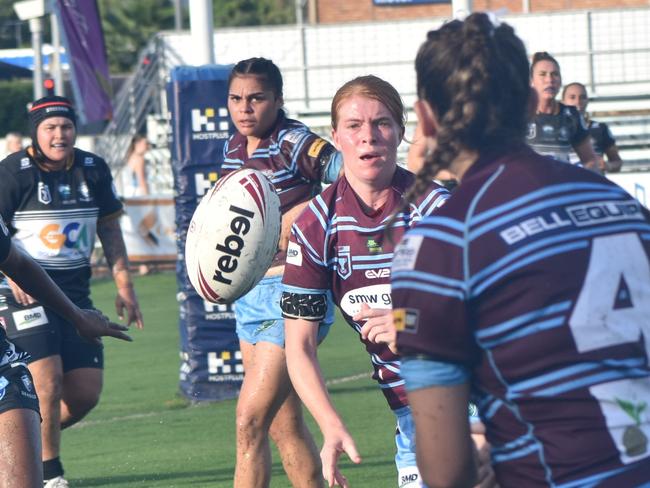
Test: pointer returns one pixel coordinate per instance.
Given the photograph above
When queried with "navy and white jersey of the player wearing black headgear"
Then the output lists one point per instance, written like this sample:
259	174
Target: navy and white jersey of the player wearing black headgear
53	214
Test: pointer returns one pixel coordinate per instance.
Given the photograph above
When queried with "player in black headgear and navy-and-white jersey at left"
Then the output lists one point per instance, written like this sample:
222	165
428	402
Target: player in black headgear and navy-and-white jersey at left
56	199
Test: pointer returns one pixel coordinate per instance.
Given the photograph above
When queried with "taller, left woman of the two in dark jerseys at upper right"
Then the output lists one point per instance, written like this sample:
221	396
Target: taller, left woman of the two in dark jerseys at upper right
556	128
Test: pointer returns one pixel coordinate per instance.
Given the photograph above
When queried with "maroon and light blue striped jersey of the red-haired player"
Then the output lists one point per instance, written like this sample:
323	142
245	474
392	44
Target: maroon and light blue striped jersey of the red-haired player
336	247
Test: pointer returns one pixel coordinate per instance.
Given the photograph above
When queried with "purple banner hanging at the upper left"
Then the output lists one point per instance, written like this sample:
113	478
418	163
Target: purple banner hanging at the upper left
84	41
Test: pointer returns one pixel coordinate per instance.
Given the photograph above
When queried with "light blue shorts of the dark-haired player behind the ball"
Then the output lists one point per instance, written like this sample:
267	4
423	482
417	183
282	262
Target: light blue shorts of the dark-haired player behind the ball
259	318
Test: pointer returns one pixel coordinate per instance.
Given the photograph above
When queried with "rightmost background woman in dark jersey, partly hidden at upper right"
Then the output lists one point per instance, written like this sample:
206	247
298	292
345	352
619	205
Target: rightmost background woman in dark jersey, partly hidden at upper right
602	140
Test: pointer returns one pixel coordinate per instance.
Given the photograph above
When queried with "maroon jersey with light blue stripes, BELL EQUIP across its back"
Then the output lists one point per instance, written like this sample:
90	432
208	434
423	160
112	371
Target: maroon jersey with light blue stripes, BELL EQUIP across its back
535	278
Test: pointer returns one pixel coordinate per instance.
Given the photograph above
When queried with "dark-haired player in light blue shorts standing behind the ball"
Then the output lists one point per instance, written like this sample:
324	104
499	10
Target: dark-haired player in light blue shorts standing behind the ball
296	161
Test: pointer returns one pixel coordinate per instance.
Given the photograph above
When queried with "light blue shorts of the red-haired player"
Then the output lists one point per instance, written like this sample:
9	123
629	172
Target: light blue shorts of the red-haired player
408	475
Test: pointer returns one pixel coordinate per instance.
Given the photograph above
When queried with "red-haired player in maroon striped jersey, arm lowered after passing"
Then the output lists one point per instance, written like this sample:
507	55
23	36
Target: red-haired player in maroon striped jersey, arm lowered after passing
339	247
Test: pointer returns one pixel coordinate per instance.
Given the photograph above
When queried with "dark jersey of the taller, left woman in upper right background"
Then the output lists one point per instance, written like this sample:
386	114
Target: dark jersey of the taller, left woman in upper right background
556	135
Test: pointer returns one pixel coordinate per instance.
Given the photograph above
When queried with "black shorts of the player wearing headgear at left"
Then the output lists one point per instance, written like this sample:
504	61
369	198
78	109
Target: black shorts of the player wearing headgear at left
42	333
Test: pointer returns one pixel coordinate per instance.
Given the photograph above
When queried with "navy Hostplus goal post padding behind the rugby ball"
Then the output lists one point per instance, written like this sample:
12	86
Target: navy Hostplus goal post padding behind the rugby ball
211	365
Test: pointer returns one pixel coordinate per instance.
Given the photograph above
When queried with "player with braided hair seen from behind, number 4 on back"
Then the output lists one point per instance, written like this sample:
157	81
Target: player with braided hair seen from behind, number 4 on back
528	290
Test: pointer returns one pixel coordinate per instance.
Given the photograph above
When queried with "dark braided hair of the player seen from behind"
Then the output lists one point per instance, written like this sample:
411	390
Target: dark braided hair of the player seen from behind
475	77
